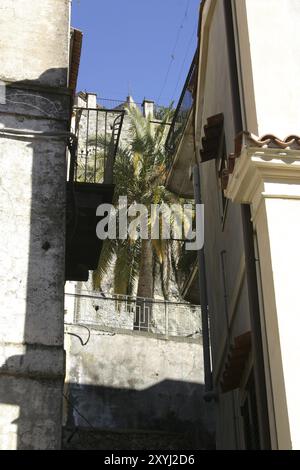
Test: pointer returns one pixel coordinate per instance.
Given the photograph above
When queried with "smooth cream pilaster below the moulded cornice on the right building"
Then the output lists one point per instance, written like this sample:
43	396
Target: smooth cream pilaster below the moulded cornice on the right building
283	219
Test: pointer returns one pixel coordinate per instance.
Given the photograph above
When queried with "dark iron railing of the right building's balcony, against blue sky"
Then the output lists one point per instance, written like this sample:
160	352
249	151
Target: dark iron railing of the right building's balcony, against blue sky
182	112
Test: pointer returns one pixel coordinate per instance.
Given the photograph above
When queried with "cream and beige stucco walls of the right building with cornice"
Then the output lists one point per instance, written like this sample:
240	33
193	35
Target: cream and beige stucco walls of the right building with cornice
264	34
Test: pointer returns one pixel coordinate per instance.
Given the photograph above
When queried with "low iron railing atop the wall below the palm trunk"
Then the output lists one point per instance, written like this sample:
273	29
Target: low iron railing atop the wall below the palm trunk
179	319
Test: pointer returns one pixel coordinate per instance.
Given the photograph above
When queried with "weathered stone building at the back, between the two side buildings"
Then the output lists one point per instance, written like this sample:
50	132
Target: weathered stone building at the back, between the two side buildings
130	386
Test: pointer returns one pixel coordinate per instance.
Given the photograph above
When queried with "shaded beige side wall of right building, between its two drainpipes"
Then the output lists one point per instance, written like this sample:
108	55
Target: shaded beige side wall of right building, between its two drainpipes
227	290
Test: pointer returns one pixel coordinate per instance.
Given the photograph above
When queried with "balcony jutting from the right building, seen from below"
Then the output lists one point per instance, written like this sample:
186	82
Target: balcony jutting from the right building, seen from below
180	141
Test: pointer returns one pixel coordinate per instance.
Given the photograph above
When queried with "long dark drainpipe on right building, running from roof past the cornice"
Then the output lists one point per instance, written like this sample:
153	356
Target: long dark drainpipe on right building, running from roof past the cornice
251	275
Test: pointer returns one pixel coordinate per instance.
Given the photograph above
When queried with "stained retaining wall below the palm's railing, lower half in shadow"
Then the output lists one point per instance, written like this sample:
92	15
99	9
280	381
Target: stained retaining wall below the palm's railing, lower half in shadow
137	382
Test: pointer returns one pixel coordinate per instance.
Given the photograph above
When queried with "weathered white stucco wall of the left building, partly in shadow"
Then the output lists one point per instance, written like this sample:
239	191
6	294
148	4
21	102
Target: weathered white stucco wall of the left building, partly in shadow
34	43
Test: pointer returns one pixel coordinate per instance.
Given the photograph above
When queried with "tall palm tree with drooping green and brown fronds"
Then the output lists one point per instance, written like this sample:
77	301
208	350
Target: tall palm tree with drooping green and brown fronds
139	173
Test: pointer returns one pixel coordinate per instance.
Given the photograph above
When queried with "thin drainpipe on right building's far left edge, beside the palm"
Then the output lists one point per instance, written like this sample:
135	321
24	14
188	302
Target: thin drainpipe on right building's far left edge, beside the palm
209	392
